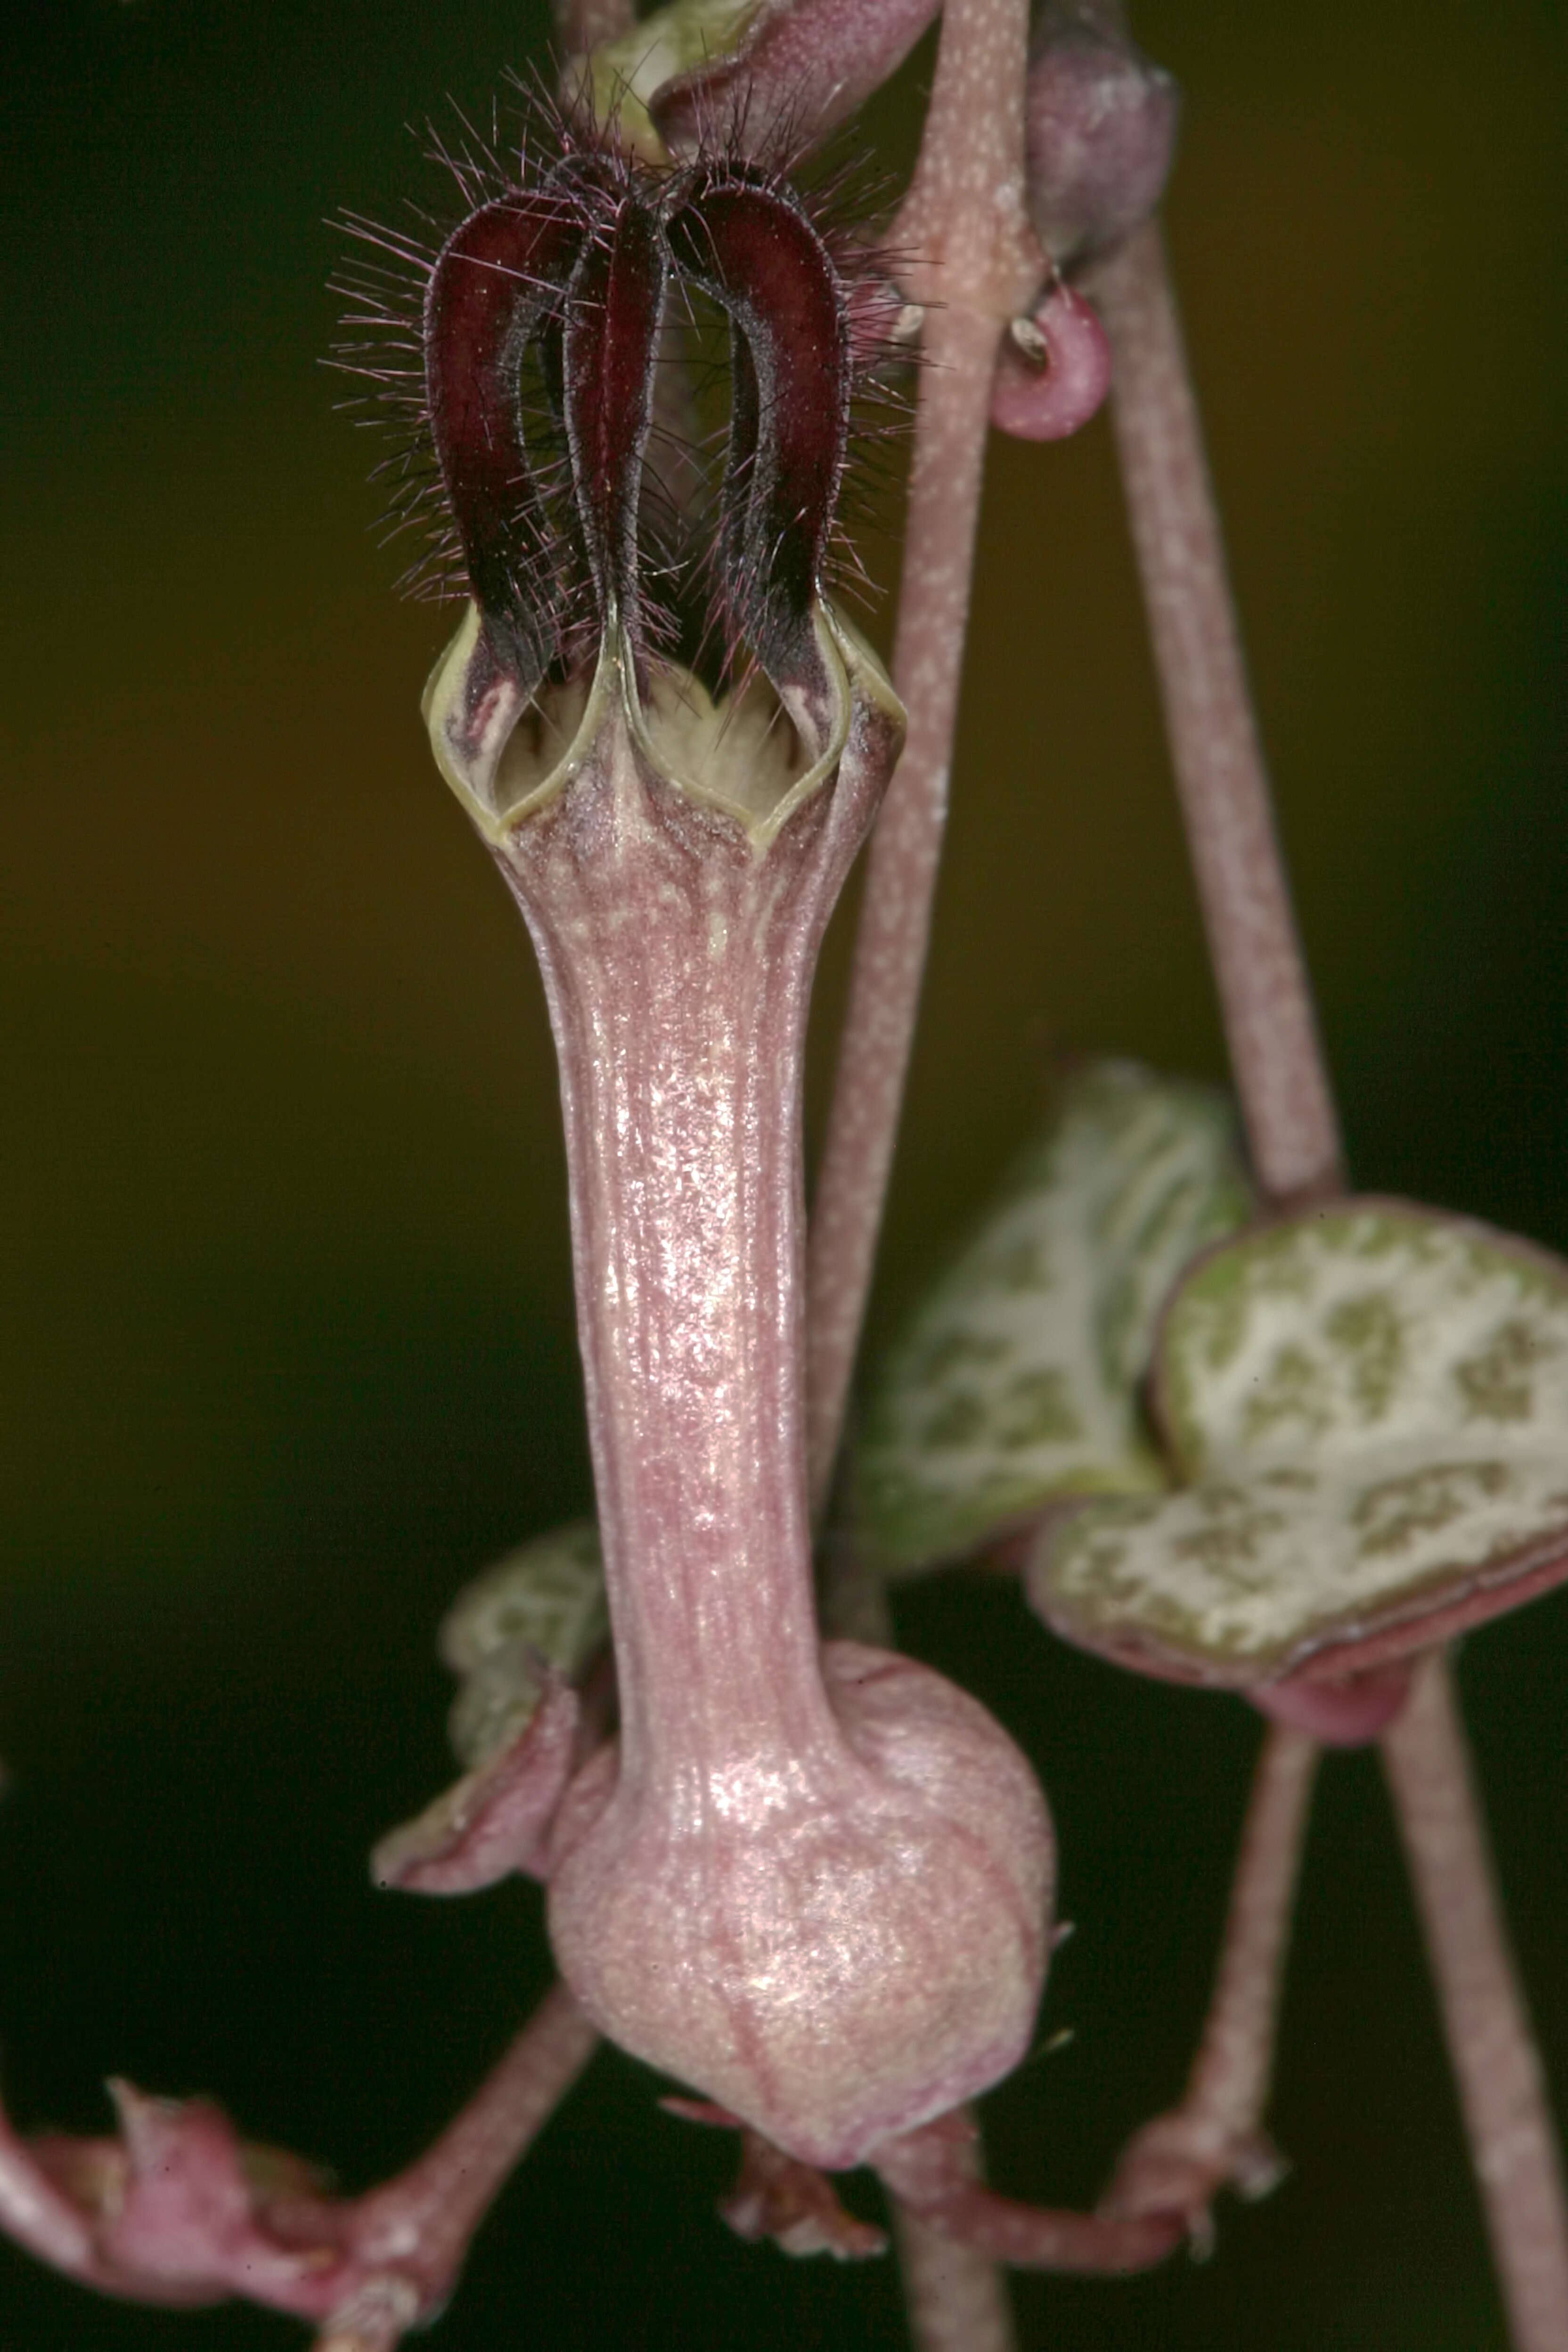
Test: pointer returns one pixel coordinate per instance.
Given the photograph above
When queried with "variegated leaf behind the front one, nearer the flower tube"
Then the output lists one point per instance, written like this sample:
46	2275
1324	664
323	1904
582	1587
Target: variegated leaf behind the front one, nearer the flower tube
1017	1382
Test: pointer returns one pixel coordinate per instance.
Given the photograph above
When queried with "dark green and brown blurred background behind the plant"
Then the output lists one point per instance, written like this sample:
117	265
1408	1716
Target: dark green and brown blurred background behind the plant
286	1339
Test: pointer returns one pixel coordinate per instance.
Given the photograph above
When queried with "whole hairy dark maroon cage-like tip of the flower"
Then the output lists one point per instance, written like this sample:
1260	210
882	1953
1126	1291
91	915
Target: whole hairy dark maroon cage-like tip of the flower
579	335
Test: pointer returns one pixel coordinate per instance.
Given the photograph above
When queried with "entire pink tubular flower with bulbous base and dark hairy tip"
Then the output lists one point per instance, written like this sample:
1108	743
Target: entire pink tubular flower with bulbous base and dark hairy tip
810	1883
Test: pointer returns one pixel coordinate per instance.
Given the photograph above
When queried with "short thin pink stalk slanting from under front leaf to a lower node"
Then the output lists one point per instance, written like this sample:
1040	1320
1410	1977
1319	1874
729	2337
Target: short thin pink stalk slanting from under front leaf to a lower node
1217	2137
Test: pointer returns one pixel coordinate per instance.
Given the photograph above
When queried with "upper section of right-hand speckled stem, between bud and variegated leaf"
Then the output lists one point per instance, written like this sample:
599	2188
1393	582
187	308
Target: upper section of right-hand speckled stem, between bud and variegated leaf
1214	737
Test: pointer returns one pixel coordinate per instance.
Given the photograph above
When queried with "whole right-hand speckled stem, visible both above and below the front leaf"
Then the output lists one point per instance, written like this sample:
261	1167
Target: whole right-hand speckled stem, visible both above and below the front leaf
1296	1151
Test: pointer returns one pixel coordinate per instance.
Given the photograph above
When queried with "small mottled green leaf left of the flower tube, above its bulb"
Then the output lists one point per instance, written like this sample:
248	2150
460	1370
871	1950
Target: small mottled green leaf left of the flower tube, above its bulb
544	1601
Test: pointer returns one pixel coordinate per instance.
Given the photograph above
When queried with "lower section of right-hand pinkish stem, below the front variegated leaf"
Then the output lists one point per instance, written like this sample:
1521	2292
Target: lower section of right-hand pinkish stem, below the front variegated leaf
1485	2017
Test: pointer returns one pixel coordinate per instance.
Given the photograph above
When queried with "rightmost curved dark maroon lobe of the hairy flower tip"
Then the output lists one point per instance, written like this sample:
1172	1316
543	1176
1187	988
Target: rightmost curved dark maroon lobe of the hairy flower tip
753	250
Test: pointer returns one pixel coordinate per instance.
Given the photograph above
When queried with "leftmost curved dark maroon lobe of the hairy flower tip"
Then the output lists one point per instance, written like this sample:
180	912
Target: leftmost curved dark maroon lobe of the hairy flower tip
492	286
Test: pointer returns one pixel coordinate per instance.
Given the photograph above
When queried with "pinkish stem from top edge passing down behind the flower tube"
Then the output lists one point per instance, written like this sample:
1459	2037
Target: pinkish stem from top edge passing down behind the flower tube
979	267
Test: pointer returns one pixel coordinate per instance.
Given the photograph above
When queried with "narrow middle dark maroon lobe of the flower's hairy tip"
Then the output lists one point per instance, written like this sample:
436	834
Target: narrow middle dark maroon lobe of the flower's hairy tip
615	316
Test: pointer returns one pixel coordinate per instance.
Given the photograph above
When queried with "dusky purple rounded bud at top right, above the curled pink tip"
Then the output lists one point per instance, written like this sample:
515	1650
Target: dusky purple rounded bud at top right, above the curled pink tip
1101	131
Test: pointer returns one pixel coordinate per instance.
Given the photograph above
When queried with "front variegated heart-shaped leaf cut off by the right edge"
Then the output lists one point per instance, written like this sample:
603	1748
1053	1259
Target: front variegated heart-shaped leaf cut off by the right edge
1369	1415
